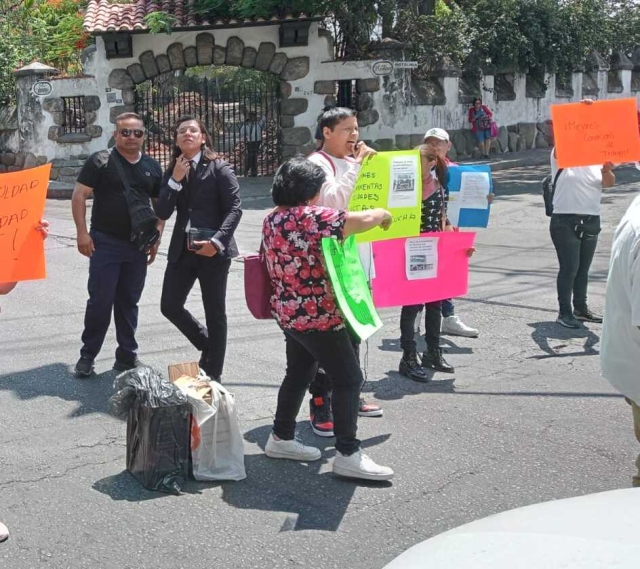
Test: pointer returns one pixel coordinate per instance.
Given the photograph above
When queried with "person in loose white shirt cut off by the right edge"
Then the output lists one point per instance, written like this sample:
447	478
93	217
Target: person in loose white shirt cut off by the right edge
620	344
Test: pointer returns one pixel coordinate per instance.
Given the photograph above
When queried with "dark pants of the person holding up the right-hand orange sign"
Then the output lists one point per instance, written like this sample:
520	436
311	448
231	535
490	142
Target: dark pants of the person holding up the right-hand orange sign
575	238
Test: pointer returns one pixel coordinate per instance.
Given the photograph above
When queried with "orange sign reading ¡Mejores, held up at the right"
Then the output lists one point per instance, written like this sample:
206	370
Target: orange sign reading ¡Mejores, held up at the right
605	131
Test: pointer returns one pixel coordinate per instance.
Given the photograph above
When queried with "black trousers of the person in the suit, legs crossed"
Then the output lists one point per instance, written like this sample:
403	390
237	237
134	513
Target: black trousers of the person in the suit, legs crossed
179	279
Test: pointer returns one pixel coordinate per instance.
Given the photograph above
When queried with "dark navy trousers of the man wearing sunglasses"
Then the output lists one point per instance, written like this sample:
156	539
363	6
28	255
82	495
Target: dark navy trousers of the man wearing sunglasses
117	272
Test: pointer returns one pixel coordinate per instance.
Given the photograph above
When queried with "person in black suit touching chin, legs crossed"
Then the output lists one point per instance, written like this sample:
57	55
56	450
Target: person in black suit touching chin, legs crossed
205	192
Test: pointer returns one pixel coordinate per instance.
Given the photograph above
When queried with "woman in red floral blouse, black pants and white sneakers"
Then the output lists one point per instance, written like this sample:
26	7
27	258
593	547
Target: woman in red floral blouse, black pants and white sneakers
305	307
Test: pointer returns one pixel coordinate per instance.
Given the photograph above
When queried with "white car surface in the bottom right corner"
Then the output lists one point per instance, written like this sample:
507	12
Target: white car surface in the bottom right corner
596	531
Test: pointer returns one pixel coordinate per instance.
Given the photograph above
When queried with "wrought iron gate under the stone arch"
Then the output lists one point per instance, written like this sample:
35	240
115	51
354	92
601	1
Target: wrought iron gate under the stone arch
243	120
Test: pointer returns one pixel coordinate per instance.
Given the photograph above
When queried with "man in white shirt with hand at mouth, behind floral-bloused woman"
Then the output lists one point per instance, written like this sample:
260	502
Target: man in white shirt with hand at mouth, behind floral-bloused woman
340	157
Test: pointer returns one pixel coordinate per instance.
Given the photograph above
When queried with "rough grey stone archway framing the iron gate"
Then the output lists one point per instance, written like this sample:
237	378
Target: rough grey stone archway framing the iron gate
206	52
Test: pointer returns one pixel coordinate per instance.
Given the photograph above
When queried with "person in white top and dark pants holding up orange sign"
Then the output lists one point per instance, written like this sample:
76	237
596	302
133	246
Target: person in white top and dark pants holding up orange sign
574	228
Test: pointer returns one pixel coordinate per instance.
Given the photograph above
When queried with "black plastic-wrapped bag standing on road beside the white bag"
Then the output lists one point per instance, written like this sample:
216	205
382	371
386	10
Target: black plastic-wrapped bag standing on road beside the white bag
158	428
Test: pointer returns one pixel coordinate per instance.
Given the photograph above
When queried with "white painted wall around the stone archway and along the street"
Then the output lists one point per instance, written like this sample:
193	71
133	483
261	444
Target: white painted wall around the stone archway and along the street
405	119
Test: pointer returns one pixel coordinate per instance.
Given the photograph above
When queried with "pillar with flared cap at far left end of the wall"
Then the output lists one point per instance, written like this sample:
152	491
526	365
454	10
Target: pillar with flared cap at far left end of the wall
31	117
